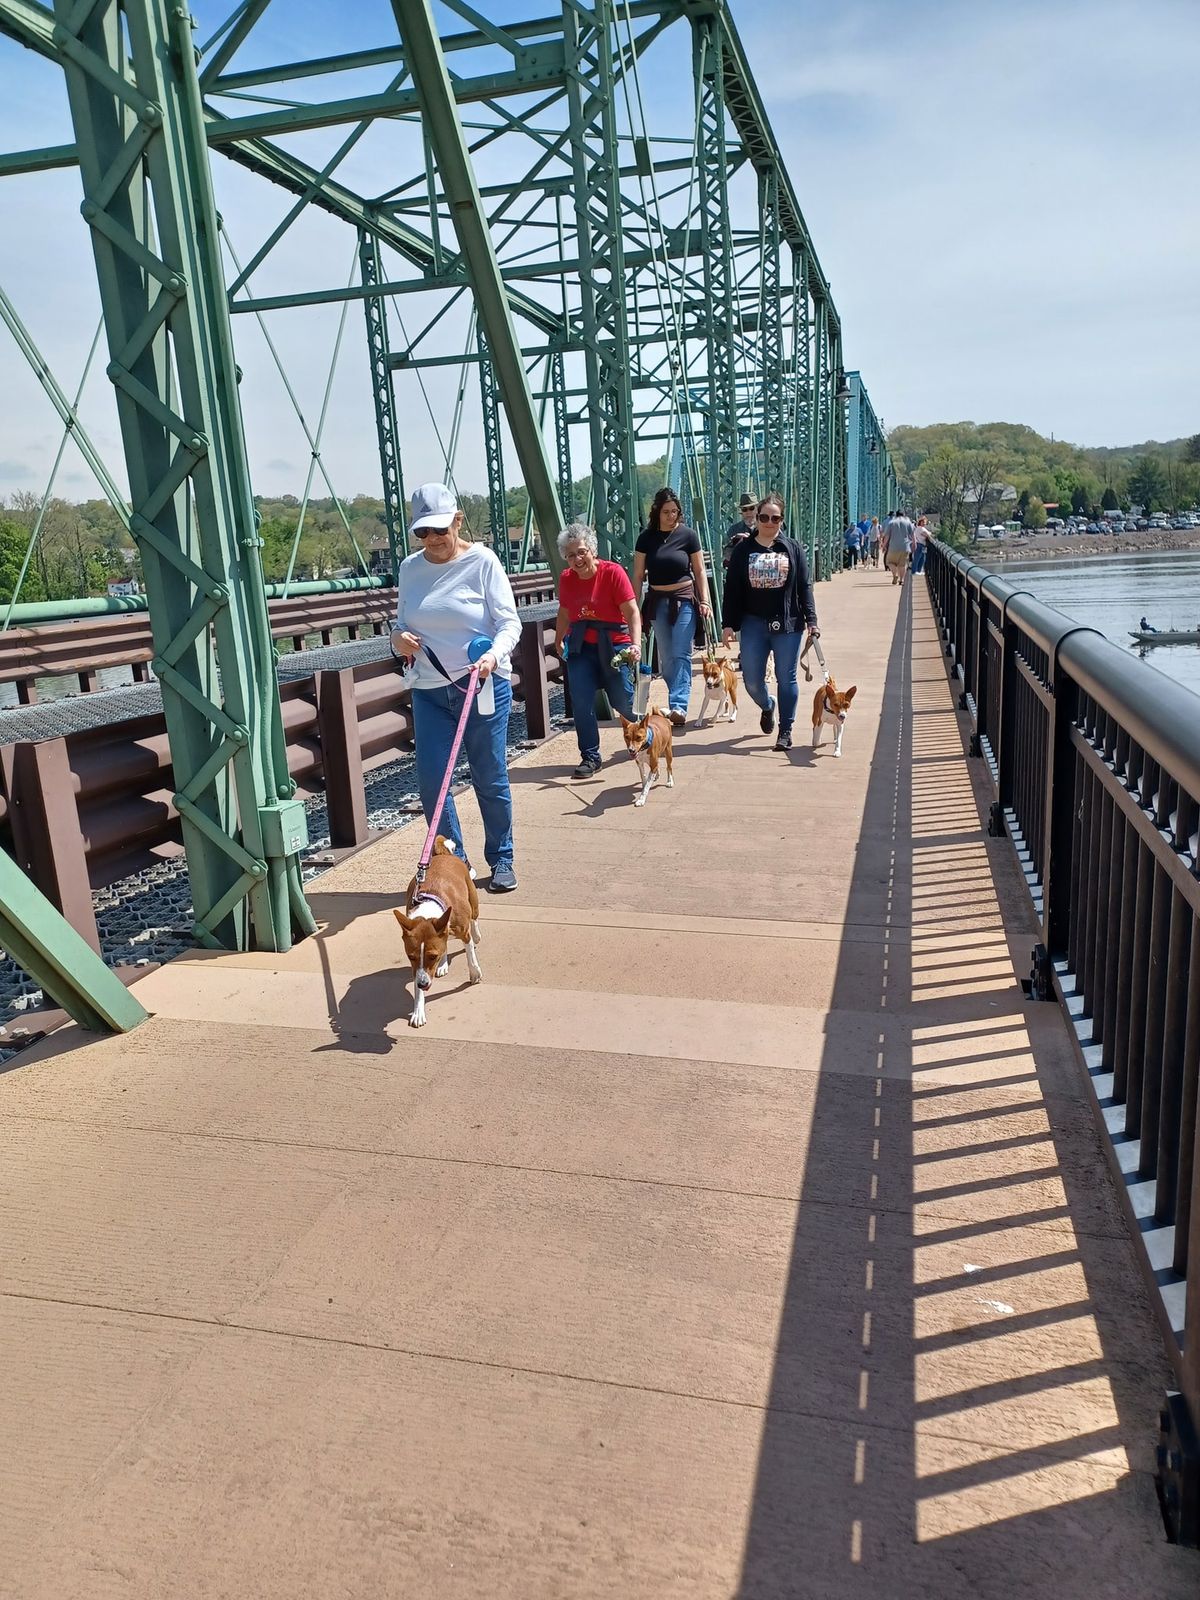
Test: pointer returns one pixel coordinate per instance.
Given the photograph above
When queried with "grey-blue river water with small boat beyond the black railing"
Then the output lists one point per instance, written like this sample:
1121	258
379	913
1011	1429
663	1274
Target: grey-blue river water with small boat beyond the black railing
1114	593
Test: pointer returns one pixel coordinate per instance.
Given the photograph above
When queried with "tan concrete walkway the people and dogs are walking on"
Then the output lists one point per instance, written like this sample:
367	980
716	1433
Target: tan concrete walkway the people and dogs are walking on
745	1234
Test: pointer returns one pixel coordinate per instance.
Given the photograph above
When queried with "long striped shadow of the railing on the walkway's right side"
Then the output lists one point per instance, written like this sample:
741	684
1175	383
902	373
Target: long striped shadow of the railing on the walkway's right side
998	1404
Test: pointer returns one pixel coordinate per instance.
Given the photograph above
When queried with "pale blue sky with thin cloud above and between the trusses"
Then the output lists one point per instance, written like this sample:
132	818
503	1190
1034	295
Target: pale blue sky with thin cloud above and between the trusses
1001	193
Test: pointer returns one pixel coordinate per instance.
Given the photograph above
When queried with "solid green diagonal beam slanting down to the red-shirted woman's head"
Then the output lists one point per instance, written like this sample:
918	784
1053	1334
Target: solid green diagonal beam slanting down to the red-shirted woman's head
446	135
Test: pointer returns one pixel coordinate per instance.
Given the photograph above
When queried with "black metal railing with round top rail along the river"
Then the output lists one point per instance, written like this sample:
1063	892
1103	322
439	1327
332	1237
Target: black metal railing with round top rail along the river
1097	769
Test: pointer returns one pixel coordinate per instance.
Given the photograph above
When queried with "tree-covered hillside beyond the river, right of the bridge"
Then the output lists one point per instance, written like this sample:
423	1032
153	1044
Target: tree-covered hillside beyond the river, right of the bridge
969	474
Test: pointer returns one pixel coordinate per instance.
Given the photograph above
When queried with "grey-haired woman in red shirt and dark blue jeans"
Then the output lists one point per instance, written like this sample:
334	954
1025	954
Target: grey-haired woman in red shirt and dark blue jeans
598	622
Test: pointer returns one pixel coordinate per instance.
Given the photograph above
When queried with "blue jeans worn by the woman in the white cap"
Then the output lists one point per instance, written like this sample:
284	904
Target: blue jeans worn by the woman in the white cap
436	714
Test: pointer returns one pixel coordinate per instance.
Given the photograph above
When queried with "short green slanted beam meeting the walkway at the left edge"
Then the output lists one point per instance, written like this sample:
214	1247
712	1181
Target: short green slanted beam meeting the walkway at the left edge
39	938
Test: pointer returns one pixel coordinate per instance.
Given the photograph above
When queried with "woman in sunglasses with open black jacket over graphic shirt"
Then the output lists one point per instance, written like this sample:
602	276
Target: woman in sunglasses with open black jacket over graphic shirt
769	598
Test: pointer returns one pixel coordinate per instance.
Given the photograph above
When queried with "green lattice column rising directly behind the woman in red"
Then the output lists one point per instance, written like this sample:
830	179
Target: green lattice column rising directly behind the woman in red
590	38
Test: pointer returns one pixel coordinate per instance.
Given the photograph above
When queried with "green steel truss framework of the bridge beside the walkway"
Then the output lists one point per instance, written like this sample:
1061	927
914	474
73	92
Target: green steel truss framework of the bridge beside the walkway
622	273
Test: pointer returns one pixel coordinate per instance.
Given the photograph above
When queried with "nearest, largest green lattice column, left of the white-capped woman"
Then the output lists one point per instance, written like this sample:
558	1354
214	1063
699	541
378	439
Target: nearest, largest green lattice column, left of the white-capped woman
143	156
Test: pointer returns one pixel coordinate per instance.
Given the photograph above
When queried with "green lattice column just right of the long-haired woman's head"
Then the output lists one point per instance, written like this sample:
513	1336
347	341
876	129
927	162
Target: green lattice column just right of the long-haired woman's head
713	170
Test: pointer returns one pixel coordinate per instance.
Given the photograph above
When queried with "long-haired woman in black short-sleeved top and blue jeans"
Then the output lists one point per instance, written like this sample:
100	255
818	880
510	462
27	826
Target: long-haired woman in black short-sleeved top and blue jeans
668	553
